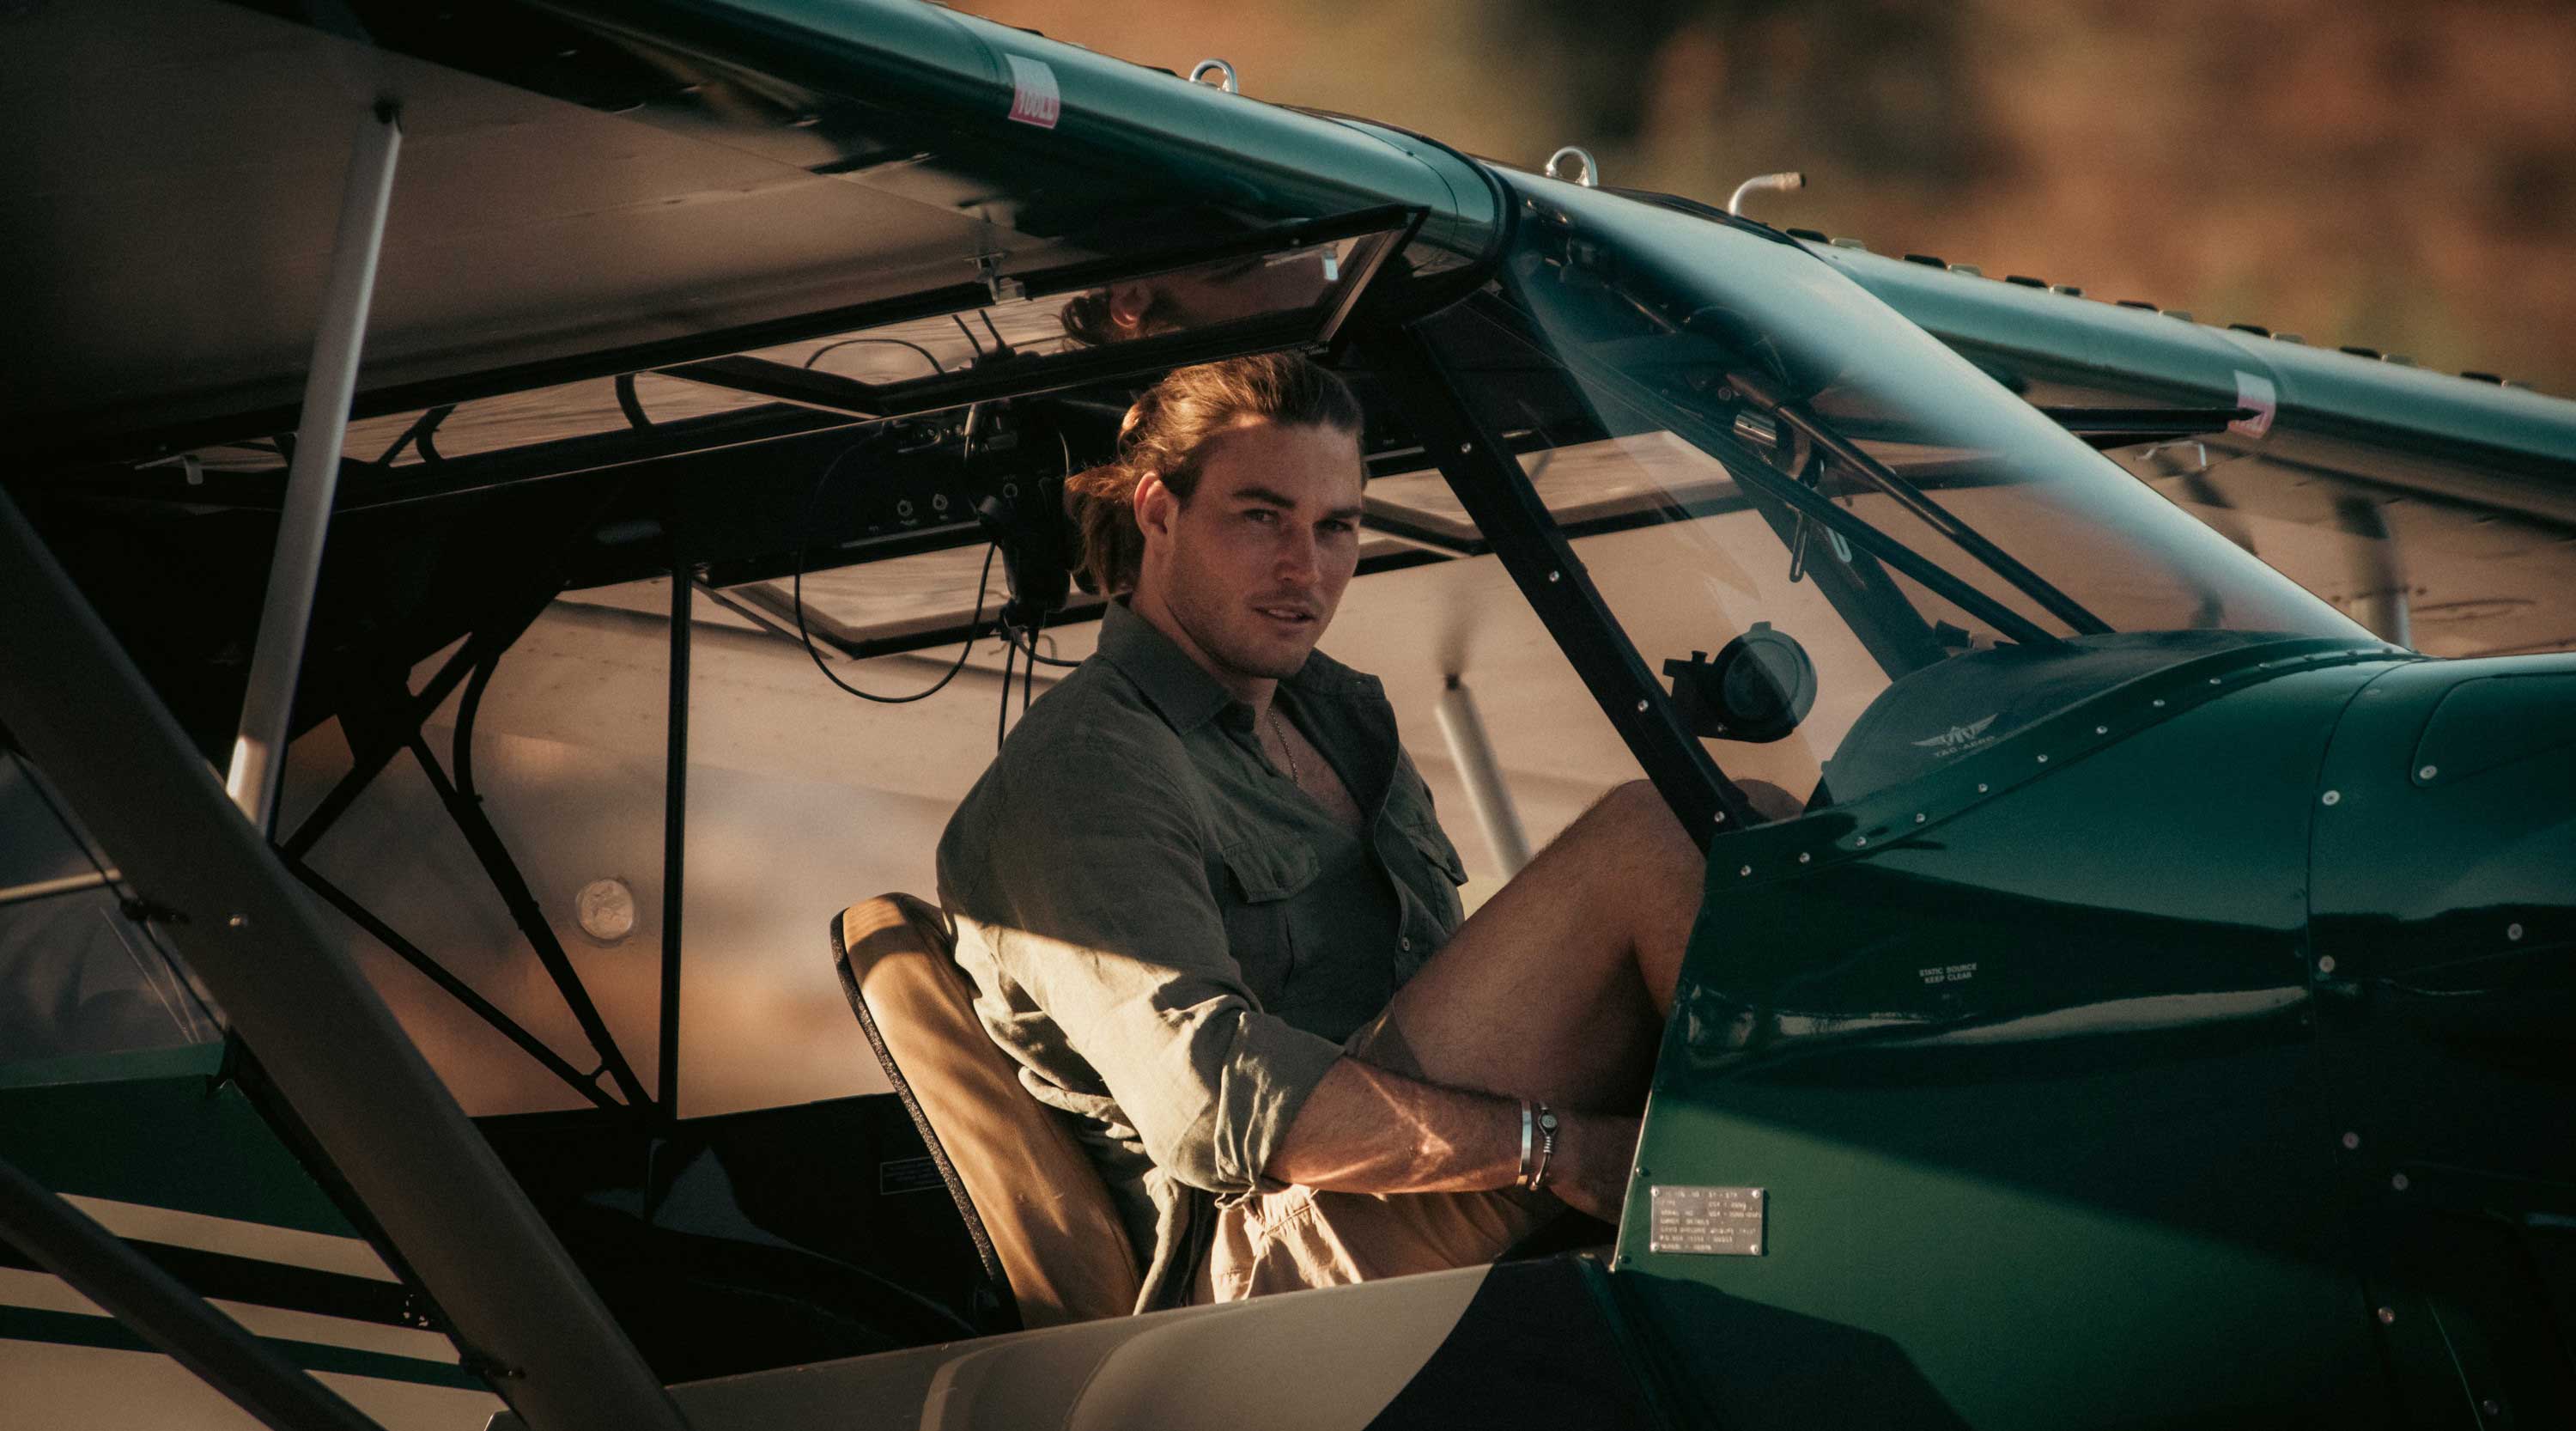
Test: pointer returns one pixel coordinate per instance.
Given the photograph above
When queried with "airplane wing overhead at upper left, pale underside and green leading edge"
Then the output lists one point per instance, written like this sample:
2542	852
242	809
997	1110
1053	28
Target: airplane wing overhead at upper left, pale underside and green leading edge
586	190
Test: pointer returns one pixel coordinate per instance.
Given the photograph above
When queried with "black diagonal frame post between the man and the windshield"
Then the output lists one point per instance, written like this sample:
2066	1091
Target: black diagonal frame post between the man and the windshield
1516	525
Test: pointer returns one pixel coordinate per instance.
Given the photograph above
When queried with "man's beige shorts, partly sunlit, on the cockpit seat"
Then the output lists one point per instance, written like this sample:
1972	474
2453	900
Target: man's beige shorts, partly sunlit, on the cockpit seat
1323	1239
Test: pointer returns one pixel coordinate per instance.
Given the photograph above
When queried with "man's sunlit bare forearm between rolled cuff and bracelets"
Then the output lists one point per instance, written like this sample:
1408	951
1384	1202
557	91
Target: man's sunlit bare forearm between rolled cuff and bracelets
1382	1133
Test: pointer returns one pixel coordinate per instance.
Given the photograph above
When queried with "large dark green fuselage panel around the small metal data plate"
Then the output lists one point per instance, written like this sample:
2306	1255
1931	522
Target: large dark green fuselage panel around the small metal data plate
2023	1058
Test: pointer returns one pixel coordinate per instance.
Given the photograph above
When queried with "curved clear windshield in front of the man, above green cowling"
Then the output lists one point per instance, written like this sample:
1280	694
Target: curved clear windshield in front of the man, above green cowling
1848	550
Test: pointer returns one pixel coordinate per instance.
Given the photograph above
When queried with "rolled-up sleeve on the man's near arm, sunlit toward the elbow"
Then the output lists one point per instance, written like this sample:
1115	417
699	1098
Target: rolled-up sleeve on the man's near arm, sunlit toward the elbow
1096	904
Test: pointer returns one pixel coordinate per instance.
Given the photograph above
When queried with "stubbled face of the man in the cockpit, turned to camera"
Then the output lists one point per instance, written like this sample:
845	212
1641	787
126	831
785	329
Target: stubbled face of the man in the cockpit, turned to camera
1253	566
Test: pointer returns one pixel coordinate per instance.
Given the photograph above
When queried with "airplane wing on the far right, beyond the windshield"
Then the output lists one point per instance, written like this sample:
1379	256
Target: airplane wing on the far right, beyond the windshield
2441	512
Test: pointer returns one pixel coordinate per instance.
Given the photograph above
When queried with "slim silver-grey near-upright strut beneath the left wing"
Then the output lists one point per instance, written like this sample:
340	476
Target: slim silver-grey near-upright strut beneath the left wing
316	476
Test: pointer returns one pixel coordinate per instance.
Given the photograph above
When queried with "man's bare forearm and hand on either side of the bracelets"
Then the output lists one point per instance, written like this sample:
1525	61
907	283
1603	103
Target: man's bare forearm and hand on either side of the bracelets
1382	1133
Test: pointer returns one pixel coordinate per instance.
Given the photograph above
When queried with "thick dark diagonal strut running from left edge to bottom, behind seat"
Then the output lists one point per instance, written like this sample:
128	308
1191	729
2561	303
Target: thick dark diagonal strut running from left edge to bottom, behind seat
375	1107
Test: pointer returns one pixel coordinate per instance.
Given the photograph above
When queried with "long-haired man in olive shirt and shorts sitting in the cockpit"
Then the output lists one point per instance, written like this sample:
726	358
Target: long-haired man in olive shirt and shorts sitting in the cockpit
1209	909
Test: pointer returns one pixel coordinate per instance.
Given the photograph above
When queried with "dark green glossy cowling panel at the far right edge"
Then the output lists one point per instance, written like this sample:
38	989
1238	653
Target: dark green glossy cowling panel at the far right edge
2446	899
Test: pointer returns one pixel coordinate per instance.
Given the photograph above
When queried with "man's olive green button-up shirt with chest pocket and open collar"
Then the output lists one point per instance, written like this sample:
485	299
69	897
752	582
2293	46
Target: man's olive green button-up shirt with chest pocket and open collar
1171	937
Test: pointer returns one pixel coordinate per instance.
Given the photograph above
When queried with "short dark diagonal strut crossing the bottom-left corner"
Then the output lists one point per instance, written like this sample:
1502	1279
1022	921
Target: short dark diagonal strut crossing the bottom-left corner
166	1314
